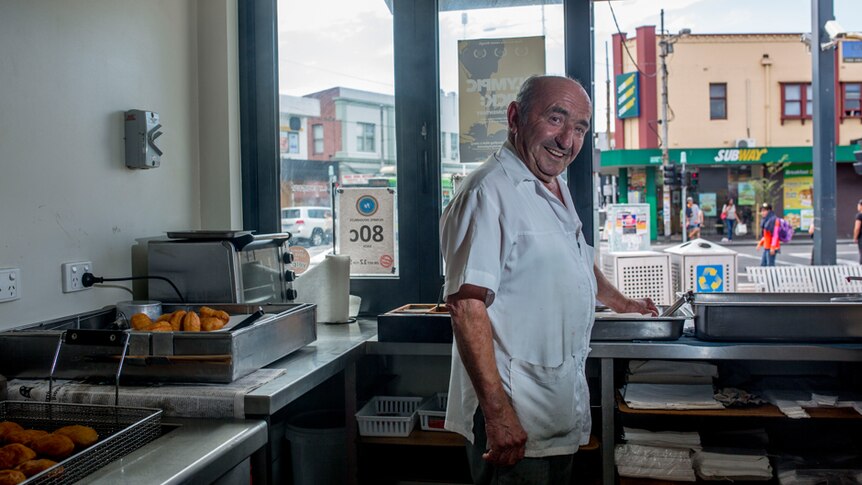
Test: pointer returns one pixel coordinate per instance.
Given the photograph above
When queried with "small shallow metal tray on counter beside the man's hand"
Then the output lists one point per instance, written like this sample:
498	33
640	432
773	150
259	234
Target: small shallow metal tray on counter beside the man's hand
612	327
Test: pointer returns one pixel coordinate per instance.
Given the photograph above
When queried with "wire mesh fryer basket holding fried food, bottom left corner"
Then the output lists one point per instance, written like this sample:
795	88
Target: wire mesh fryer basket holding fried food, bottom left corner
121	431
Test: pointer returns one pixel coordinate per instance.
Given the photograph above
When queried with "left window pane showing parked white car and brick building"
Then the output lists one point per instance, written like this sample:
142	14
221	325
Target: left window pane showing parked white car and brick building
336	85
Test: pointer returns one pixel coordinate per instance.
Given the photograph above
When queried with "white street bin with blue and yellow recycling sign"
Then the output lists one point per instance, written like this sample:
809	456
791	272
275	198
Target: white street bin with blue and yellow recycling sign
703	267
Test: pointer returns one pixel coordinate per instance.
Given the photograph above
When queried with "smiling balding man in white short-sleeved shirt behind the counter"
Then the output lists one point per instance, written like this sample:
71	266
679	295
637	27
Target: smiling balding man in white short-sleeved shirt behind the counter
521	288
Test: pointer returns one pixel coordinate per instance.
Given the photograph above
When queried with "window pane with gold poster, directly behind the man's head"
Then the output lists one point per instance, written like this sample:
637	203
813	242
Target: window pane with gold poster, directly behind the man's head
475	60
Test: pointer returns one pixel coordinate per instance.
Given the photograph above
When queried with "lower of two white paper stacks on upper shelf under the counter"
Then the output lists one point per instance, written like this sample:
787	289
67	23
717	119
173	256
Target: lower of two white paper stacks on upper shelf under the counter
670	396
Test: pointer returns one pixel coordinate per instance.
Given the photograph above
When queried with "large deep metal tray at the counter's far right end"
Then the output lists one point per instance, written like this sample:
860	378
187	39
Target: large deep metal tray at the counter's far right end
778	317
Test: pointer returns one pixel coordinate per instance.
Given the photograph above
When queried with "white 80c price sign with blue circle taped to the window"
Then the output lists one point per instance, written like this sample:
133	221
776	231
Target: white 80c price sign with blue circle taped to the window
365	230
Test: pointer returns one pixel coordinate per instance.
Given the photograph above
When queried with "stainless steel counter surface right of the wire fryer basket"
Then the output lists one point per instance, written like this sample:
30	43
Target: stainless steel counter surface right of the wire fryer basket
196	451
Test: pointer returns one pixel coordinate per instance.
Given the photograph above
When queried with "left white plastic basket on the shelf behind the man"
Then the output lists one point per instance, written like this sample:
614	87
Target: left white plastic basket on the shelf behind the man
388	416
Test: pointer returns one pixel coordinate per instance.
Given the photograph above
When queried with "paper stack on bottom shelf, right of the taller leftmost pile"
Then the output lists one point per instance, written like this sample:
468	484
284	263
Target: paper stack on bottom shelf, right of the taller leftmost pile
732	465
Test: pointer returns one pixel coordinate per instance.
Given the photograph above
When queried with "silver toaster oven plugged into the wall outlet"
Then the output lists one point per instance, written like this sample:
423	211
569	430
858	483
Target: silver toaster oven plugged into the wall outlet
221	267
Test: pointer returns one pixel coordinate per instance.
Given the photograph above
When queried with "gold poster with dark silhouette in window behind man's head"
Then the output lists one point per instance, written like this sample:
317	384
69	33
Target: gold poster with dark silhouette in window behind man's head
490	73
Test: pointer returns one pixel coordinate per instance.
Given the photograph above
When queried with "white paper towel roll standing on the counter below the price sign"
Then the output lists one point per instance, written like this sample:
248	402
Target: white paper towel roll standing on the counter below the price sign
327	285
